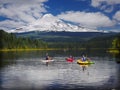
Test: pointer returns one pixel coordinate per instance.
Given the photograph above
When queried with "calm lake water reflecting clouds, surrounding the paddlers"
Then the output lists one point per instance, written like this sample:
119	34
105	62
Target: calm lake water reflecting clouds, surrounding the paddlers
26	71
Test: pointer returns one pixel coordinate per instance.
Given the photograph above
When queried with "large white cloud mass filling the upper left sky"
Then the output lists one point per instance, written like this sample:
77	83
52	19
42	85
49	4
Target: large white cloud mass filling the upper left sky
21	11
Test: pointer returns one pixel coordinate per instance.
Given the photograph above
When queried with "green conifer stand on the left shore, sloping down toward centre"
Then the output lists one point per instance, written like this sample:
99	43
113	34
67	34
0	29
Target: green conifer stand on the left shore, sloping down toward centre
10	41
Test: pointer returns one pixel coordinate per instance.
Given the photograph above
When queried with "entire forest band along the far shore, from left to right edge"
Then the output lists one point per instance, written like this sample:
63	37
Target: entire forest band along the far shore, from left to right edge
11	41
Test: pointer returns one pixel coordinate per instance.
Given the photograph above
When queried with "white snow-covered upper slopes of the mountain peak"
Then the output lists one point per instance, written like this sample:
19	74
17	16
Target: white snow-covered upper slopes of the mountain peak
51	23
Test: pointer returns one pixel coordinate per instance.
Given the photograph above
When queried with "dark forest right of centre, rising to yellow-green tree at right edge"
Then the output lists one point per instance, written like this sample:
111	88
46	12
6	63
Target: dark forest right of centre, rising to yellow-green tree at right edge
110	42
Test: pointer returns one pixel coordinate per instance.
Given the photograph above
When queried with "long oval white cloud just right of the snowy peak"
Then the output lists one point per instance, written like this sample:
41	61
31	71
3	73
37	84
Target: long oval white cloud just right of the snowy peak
93	20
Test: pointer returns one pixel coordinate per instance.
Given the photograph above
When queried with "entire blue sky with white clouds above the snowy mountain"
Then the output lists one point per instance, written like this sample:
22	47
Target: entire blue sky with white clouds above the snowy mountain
95	14
